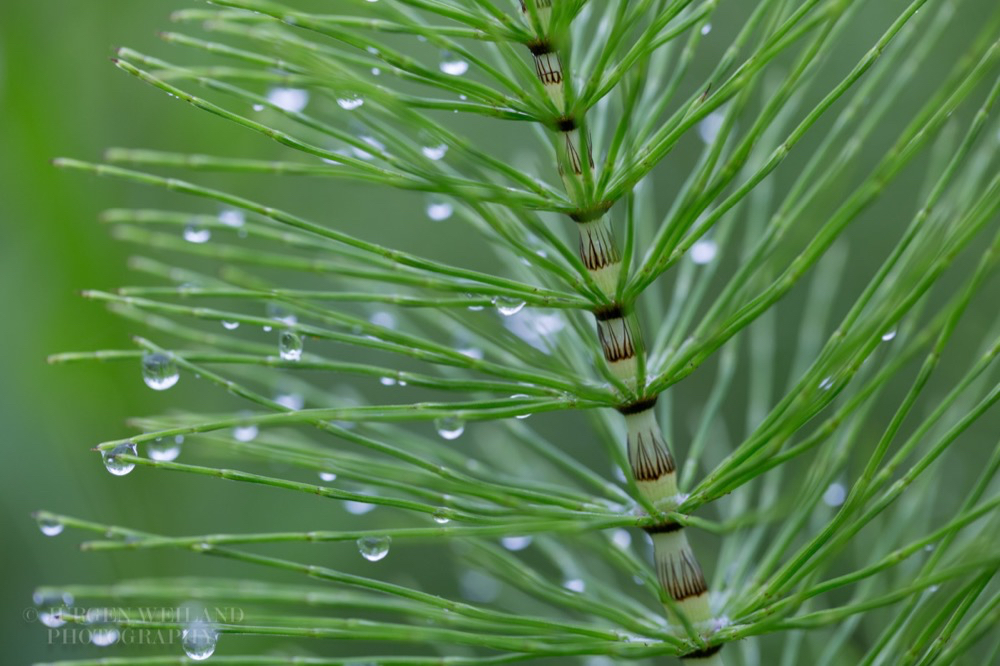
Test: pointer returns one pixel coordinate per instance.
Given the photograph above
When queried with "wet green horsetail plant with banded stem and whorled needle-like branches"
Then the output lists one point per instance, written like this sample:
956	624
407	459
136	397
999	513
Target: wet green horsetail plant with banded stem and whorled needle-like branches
717	183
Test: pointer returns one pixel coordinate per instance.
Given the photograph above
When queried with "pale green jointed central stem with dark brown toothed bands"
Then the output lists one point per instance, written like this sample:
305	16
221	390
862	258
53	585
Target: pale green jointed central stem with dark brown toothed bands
653	466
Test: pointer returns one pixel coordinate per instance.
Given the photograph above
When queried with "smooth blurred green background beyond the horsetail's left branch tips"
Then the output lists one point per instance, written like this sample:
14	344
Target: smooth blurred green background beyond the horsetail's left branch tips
59	95
